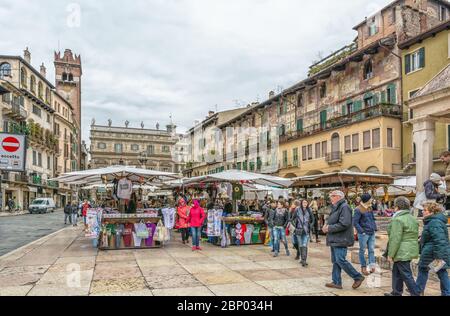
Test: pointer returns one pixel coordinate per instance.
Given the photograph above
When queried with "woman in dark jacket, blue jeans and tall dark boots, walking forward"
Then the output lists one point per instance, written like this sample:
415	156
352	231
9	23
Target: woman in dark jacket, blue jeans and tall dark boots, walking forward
303	221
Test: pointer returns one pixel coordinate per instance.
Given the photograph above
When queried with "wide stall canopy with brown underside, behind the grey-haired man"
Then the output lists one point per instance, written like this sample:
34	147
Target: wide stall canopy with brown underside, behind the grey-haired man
344	178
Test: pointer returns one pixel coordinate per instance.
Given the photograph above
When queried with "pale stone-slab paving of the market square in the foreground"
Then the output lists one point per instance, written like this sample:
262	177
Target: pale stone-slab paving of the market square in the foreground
65	263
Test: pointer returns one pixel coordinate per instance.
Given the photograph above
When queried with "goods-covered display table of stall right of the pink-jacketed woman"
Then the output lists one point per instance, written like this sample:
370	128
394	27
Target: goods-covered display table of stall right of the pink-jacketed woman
242	230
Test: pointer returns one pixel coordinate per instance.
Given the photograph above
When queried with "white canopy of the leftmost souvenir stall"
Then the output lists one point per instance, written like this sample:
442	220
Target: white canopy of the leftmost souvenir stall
136	175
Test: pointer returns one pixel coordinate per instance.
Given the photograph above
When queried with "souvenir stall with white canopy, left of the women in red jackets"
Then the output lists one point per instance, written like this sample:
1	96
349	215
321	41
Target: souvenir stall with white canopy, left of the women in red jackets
112	227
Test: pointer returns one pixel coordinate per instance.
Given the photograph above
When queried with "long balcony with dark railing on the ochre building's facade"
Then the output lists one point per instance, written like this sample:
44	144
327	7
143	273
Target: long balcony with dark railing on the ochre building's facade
344	120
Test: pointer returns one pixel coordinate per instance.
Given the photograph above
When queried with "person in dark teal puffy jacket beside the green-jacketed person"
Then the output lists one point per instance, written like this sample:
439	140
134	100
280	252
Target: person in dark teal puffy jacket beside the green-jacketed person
435	247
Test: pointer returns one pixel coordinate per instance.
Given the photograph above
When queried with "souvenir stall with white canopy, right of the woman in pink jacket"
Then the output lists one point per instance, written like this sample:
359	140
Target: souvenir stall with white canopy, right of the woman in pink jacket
227	229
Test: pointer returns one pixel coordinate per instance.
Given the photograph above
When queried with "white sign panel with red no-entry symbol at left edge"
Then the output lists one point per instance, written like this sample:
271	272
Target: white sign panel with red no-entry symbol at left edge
12	152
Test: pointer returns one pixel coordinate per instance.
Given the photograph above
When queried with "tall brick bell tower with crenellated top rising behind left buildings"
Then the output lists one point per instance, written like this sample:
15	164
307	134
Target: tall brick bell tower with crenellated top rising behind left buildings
68	74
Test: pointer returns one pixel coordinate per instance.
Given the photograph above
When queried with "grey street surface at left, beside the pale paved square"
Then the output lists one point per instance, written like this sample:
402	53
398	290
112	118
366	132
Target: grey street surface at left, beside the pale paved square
17	231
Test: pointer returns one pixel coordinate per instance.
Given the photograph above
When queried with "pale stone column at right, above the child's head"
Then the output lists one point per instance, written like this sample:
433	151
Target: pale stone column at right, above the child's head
423	137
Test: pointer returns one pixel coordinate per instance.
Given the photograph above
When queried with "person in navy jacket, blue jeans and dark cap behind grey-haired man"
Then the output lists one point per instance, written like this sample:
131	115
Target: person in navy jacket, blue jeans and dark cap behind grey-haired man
364	222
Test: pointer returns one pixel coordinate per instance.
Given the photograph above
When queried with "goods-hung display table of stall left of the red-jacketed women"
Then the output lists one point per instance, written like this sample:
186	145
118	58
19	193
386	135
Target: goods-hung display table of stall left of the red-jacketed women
120	231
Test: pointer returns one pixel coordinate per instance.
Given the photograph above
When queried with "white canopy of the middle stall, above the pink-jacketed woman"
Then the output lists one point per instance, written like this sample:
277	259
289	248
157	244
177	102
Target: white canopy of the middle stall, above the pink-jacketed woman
240	176
